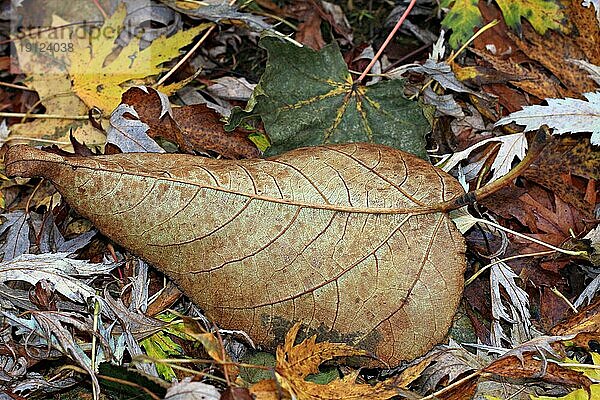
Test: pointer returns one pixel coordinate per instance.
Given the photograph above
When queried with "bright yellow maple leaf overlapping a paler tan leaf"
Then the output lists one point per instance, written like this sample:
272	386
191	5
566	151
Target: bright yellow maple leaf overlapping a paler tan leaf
99	81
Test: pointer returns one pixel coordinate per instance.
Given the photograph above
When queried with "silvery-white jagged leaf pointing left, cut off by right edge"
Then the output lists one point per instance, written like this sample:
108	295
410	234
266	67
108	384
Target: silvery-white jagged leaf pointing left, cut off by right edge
563	115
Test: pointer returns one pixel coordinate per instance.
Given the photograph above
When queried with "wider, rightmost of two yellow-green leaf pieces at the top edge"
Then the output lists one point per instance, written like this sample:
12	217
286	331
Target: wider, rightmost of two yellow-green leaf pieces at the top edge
542	14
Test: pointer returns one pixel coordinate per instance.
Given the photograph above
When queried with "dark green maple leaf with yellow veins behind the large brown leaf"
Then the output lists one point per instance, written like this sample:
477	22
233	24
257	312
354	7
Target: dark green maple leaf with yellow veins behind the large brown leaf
307	98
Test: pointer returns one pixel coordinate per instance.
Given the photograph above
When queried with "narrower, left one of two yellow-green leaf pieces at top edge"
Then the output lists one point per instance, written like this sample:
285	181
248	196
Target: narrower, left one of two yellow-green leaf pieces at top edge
463	18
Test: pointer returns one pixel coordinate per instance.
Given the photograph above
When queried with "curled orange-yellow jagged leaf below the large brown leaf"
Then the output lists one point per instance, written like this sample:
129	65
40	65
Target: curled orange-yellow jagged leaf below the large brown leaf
295	363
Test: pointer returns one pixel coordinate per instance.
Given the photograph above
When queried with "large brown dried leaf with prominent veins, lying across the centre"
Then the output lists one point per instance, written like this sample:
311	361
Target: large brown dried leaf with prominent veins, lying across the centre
320	235
